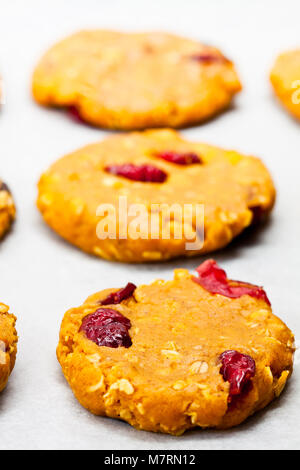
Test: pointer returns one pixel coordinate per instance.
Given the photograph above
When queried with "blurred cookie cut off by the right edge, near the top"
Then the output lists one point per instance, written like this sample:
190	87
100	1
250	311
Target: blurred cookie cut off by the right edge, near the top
285	78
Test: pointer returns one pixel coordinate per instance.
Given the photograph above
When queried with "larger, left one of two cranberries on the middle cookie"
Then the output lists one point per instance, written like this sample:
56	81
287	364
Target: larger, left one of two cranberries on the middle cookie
144	173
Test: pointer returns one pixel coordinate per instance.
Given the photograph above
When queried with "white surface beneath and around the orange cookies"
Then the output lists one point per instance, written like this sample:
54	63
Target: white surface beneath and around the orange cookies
41	276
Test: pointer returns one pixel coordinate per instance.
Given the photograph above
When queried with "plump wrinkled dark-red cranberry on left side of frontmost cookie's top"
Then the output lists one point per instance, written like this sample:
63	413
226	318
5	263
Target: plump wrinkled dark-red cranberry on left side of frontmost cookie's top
107	327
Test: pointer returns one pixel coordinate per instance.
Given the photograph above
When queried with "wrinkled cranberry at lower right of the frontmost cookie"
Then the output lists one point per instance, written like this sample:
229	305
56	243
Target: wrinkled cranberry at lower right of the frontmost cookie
238	369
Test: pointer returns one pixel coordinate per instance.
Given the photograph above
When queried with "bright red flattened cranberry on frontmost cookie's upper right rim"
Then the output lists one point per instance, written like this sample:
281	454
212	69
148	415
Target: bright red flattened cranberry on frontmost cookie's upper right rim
214	279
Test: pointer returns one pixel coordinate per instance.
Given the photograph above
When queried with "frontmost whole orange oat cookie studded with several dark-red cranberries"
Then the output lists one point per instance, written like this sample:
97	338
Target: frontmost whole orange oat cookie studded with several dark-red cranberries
196	351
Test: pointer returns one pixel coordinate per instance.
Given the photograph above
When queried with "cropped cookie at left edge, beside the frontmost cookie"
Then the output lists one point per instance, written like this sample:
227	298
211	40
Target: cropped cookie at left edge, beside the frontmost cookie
8	344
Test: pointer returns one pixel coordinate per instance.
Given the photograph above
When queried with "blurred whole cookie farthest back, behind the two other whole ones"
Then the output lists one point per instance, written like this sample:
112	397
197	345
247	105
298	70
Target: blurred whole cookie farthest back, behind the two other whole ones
134	81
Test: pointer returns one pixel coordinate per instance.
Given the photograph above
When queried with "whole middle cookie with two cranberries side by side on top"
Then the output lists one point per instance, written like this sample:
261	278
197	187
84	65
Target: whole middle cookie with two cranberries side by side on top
150	168
